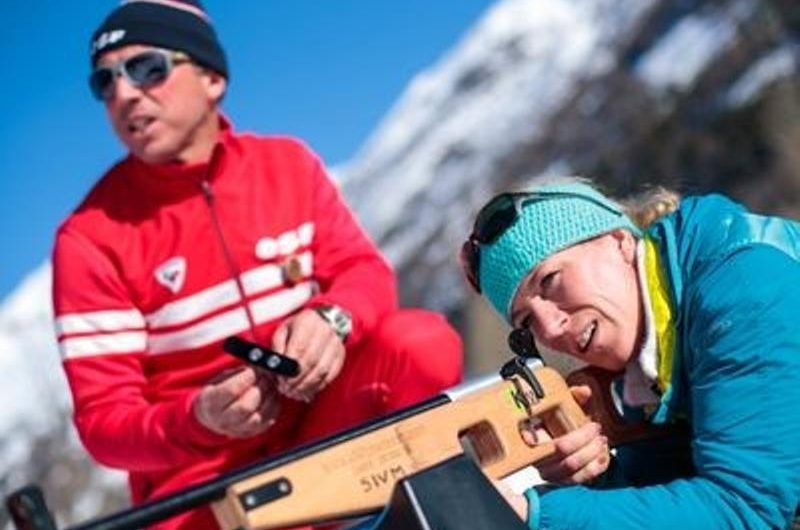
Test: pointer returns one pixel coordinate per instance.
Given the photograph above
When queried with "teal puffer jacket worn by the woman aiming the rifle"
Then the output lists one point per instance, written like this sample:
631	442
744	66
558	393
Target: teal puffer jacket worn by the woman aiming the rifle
735	286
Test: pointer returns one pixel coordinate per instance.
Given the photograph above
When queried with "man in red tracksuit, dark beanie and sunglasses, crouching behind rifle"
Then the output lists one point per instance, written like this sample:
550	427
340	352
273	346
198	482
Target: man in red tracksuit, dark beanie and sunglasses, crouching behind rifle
200	234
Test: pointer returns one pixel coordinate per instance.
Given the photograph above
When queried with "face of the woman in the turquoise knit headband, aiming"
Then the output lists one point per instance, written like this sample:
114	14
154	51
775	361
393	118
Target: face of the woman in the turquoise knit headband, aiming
585	301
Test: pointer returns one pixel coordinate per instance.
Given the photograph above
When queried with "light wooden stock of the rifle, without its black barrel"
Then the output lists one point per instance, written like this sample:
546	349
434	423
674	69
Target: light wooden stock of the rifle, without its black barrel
357	476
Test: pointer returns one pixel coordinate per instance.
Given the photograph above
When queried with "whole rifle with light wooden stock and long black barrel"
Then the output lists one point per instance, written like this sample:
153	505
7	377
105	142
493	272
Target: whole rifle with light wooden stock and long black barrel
353	473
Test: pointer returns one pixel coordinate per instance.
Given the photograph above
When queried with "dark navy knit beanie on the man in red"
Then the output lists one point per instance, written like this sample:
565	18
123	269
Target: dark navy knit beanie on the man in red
180	25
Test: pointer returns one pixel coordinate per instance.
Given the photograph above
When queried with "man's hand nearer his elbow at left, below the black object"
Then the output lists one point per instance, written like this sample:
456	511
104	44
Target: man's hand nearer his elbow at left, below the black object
240	403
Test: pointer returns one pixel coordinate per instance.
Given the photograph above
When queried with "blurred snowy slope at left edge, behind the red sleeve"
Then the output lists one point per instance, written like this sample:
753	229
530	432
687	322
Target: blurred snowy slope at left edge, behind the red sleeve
37	441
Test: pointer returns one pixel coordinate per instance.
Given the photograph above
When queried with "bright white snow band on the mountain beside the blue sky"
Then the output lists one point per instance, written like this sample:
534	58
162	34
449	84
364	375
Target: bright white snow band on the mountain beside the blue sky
498	86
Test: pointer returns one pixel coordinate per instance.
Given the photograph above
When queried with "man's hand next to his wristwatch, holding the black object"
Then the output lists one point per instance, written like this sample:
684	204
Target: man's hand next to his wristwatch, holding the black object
312	342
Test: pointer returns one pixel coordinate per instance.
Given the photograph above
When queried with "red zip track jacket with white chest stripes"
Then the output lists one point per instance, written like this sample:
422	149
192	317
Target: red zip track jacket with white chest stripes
144	294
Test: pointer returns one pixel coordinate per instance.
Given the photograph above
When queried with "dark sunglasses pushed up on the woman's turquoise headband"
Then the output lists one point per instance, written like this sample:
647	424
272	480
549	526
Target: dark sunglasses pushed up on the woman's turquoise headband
499	214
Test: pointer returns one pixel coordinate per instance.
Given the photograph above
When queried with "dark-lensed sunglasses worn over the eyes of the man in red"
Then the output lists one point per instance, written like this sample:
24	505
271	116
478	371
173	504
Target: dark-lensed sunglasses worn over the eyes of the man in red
143	70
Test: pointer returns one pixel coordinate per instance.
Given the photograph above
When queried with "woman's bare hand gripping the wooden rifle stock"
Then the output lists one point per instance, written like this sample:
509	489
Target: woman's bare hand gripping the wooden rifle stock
581	455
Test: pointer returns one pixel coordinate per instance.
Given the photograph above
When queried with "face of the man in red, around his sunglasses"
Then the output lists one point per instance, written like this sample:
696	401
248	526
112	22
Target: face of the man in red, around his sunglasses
174	121
